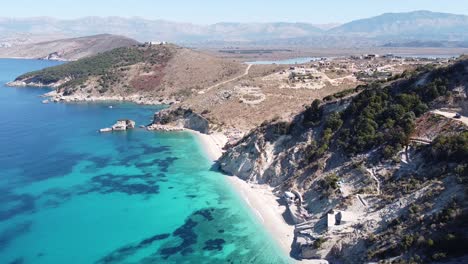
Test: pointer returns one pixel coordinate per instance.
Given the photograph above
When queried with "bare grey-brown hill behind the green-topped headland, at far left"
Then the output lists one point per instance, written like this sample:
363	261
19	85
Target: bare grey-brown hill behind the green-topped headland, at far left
67	49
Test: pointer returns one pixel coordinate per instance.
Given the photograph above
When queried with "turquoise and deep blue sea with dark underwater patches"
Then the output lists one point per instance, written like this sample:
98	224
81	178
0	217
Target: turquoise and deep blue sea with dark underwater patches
71	195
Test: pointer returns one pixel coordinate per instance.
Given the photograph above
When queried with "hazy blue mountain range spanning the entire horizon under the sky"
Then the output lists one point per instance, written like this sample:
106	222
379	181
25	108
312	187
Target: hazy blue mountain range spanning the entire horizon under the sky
386	28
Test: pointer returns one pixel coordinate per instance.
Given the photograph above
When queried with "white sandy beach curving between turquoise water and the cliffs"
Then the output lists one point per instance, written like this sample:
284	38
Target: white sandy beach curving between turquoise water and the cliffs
260	198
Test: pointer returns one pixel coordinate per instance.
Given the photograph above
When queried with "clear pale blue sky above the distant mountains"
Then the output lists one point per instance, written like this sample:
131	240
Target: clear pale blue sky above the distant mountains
211	11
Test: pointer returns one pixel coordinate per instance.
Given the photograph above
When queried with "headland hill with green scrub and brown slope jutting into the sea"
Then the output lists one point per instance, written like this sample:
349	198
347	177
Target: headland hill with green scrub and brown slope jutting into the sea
152	72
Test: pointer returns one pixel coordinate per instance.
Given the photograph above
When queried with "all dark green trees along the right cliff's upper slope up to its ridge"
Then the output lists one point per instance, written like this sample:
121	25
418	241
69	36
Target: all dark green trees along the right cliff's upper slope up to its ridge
382	116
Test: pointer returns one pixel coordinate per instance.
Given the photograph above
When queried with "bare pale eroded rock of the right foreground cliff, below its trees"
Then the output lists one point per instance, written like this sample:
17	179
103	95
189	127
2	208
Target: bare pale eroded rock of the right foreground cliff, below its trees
373	193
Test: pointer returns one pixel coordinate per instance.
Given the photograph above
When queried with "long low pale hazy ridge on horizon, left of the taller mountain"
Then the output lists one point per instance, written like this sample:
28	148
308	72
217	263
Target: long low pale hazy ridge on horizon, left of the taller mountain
147	30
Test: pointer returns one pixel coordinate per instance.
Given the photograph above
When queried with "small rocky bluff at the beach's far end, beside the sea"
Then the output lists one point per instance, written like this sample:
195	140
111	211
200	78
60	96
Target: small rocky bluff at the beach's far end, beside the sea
184	118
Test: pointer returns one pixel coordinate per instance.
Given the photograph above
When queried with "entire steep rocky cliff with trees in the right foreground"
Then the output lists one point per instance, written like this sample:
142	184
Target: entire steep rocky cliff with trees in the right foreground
382	176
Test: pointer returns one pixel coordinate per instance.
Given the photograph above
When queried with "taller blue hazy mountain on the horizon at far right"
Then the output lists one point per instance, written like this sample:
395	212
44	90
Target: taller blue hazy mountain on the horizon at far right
412	25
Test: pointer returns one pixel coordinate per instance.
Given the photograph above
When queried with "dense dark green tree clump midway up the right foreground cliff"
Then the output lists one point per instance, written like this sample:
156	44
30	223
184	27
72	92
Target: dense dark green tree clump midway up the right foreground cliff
385	116
